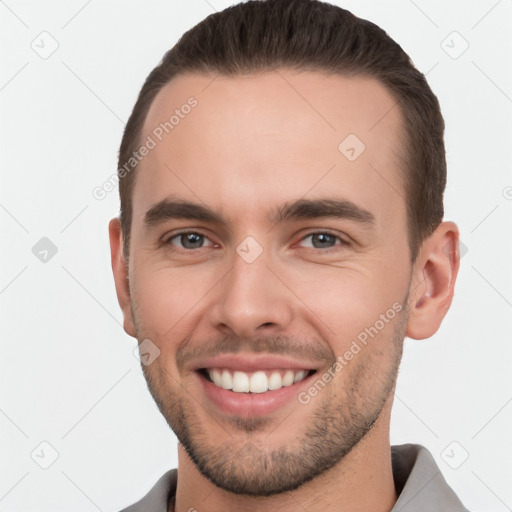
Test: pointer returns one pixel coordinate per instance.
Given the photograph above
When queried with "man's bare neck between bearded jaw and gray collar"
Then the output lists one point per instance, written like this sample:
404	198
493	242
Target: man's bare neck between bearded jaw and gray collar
361	481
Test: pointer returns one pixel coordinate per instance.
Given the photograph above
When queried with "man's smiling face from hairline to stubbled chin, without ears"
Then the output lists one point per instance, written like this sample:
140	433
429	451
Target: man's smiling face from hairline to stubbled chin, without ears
292	248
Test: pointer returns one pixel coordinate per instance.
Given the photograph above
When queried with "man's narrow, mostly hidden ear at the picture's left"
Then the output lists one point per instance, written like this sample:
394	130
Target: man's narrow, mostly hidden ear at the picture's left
120	269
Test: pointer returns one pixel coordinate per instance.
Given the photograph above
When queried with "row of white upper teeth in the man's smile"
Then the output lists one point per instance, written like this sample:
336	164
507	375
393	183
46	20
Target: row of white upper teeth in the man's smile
257	382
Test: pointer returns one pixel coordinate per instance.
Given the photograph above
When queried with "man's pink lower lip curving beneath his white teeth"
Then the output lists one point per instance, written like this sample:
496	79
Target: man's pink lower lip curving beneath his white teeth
251	405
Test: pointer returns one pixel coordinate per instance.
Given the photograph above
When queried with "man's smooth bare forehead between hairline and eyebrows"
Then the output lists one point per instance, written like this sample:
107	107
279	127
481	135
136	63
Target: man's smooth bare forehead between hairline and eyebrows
253	141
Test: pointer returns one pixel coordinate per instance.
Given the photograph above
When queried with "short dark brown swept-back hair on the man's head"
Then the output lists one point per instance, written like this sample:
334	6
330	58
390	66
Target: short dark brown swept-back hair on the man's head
308	35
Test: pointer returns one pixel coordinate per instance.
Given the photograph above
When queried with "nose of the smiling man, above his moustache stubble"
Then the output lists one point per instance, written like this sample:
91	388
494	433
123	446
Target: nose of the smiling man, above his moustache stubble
251	301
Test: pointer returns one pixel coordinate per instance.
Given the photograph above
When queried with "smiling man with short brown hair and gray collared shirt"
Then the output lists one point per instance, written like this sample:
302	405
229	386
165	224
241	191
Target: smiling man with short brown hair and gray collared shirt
281	232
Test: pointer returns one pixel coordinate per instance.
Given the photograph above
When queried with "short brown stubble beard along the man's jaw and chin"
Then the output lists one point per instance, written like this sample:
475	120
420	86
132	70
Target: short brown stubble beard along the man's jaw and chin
331	432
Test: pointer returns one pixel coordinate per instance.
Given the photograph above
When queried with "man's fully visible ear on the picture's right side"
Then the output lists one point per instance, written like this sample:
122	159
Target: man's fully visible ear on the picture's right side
433	281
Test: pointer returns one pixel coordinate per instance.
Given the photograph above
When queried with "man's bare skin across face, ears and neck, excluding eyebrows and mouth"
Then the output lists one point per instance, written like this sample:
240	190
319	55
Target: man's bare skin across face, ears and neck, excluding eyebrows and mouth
252	144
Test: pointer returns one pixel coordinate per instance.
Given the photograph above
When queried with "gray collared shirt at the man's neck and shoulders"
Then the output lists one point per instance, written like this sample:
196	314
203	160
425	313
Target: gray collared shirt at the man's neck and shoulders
419	484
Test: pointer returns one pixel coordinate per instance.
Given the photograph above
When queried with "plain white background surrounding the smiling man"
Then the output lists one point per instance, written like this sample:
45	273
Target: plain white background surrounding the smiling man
68	375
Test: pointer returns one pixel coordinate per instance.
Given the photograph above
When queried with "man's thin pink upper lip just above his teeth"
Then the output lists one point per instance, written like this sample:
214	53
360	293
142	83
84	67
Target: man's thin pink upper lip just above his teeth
253	362
